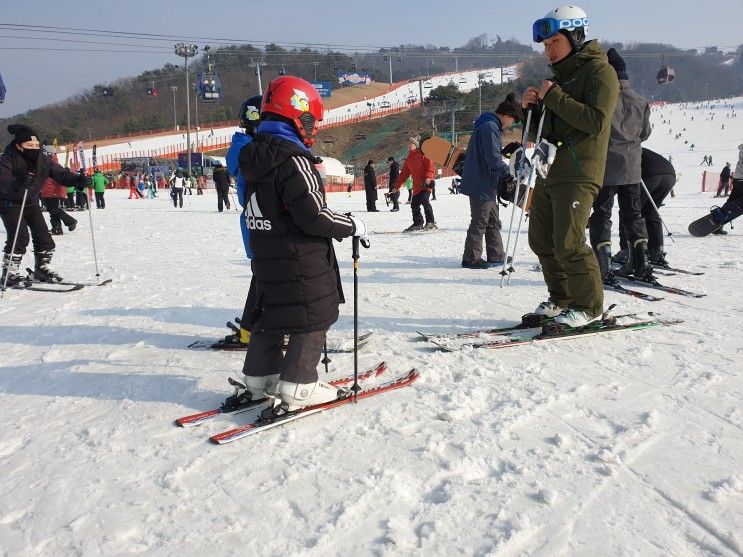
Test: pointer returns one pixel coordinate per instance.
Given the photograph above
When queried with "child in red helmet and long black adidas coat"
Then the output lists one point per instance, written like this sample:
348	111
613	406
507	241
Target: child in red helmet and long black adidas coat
297	280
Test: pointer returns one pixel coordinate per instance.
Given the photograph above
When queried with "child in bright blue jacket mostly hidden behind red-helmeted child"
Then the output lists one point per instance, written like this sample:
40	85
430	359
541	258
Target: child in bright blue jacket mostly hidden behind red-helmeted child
250	117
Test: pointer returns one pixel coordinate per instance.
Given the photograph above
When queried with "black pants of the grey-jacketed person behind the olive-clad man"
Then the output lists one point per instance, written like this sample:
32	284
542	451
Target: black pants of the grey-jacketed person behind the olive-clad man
630	214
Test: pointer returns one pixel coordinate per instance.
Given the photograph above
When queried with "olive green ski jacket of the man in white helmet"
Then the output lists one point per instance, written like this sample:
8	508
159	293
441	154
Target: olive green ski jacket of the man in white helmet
579	109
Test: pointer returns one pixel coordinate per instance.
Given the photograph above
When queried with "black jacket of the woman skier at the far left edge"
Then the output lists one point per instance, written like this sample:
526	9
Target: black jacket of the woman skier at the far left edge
15	177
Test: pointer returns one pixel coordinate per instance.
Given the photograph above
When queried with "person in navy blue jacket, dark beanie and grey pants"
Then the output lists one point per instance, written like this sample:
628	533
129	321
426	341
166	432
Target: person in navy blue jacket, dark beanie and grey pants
483	175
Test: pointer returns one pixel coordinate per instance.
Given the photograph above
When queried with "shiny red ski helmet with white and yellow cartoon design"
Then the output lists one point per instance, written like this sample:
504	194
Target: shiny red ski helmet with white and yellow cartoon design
296	100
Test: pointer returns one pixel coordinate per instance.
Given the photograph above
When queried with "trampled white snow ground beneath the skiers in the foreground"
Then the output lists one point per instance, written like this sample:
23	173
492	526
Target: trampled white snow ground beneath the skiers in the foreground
627	443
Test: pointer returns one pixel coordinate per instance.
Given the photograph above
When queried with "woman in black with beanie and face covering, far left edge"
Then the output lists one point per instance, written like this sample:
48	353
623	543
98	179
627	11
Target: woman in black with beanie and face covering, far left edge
23	171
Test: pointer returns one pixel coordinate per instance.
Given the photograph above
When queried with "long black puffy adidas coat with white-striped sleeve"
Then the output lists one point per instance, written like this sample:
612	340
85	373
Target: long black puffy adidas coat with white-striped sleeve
291	230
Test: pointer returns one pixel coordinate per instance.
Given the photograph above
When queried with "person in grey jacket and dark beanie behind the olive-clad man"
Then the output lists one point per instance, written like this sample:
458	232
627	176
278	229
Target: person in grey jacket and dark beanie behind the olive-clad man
630	126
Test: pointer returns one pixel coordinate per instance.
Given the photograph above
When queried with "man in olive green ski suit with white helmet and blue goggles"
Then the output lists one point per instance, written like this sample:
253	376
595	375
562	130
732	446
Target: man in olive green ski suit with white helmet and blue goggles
578	103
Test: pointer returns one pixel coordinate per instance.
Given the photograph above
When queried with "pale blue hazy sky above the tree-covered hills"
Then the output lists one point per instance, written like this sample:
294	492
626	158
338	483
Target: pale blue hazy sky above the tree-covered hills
39	77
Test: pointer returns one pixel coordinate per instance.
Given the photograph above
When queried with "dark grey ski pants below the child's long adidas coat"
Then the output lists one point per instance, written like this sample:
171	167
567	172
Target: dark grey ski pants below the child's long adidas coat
299	365
